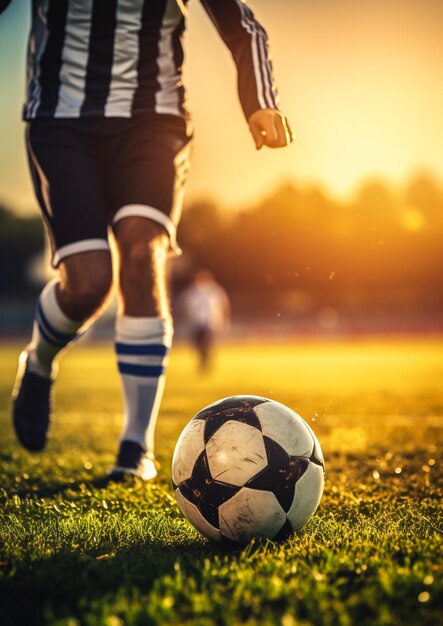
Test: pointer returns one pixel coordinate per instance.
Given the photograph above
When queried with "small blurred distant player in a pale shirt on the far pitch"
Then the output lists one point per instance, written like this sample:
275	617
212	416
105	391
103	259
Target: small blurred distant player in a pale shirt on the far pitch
206	310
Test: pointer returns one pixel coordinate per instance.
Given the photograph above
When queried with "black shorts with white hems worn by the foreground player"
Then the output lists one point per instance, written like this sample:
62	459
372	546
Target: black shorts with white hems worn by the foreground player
90	173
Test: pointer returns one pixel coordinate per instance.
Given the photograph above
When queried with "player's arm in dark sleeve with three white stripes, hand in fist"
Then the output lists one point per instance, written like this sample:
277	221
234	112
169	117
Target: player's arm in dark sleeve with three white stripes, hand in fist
248	43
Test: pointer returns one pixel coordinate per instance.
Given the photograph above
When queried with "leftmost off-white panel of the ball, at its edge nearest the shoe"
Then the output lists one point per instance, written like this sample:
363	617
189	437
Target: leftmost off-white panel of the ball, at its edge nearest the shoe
189	446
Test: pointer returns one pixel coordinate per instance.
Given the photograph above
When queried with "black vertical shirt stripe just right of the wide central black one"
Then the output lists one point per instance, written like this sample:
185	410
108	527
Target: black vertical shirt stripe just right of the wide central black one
147	67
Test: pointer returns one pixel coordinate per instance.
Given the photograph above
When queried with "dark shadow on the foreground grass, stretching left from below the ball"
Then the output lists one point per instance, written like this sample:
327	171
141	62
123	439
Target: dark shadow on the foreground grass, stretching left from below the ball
68	582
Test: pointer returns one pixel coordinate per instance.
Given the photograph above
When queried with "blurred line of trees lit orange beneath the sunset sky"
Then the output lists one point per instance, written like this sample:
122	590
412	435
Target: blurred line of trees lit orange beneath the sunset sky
383	248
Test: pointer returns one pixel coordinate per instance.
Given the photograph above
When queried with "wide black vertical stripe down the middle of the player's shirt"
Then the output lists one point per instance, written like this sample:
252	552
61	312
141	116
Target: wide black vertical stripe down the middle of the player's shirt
101	54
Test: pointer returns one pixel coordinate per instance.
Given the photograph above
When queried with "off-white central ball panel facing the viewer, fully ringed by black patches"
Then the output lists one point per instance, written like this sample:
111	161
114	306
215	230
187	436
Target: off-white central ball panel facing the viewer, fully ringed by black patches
236	453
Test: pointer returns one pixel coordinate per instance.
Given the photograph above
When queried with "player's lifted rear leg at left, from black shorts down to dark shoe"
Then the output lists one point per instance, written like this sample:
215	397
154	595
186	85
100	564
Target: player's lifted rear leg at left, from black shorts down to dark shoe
63	169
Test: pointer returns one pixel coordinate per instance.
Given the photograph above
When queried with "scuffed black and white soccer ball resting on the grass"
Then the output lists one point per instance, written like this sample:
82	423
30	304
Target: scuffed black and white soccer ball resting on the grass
247	467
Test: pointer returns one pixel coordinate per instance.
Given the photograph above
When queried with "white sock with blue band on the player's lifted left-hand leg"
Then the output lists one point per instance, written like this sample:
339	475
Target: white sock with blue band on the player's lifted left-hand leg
52	332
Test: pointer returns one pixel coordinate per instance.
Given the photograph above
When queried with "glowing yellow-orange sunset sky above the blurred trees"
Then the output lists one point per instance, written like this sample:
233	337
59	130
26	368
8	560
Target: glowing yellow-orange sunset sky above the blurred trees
361	83
